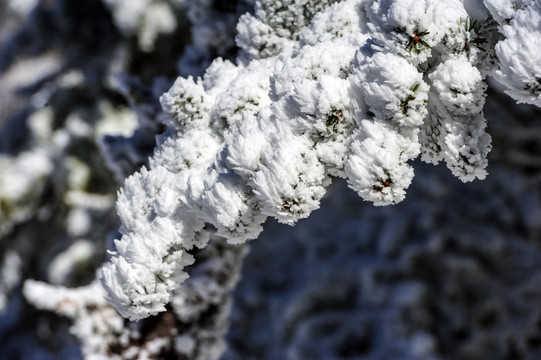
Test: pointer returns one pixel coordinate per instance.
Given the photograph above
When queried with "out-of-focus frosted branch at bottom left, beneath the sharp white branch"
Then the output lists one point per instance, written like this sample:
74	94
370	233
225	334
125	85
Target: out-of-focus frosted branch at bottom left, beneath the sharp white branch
194	329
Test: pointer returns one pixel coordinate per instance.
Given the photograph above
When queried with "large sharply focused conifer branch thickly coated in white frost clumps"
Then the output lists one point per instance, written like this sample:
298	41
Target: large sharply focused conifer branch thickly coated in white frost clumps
359	90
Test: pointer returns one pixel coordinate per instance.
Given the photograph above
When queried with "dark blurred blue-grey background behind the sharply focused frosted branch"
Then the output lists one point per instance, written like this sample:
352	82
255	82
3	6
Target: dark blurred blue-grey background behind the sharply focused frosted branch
452	272
